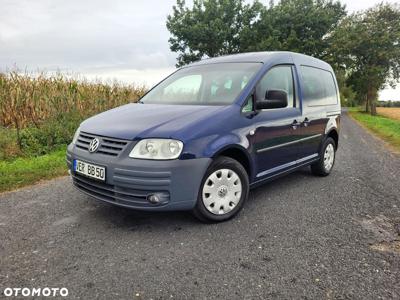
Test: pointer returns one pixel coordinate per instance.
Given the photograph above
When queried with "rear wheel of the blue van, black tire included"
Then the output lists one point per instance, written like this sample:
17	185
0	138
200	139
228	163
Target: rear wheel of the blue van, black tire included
324	165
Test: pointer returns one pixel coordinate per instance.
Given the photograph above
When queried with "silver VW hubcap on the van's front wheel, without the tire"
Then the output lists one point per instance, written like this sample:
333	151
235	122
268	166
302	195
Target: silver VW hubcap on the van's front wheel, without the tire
222	191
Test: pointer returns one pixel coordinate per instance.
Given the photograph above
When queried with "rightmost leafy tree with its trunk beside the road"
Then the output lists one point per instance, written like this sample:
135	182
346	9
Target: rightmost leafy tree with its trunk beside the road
368	44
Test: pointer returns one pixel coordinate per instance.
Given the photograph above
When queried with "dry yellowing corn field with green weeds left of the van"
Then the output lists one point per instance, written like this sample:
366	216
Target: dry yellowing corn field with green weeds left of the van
39	114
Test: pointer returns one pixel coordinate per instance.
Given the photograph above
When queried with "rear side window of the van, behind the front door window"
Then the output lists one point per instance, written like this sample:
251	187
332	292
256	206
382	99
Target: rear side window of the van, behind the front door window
319	87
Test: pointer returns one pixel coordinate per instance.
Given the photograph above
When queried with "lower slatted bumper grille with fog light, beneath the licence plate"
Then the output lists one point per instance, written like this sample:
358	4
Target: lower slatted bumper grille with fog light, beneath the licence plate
116	194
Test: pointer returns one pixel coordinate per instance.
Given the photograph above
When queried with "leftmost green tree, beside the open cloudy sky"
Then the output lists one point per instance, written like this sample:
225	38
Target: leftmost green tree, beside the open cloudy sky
210	28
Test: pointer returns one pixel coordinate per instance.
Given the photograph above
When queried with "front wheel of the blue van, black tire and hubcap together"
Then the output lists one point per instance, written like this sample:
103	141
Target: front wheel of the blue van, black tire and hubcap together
221	198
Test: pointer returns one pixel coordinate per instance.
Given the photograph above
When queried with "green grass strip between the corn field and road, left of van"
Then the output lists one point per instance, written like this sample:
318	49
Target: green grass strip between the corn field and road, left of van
24	171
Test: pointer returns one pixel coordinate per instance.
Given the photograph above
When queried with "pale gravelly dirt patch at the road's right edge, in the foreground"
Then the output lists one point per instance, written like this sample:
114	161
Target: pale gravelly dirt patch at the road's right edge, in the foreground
386	232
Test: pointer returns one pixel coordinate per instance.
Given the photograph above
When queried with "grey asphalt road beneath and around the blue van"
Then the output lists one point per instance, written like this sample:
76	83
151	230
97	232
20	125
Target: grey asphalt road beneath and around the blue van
299	237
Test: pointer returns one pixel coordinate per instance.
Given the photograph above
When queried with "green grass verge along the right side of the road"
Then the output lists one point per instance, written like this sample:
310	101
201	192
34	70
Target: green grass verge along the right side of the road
386	128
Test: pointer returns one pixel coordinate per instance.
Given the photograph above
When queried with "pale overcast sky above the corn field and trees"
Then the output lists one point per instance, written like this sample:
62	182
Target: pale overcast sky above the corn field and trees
124	40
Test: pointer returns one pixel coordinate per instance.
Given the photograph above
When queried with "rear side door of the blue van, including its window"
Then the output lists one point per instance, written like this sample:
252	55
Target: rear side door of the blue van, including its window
318	93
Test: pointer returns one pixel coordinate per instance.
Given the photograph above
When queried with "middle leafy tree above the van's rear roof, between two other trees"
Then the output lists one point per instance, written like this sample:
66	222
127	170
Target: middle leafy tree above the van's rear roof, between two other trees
302	26
